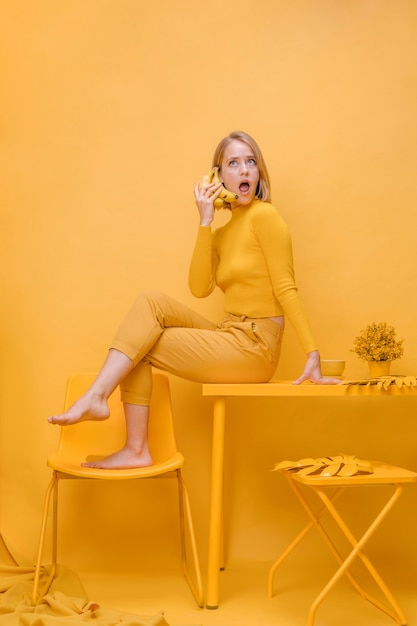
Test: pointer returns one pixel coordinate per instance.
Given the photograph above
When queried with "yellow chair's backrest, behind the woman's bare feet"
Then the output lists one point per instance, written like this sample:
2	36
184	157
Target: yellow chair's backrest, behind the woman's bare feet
92	439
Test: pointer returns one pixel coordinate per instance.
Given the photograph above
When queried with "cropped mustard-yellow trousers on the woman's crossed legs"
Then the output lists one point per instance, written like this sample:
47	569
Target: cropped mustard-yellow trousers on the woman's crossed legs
161	332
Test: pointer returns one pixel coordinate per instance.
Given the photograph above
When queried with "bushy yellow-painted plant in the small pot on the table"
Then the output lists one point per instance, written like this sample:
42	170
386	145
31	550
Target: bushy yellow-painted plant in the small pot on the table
378	342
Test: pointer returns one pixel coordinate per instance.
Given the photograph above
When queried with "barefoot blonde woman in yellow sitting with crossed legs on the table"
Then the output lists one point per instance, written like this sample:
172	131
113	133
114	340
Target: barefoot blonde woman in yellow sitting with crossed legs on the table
250	259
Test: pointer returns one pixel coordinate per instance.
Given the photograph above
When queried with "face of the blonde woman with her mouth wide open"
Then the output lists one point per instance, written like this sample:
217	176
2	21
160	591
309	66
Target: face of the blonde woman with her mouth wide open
239	171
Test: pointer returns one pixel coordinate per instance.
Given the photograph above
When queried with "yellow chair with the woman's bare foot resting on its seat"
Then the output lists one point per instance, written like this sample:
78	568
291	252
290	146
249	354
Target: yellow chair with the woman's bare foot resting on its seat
78	441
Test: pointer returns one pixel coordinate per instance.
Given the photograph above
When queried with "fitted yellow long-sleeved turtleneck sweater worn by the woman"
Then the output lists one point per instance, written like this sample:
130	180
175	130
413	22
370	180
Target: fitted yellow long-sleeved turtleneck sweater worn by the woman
251	260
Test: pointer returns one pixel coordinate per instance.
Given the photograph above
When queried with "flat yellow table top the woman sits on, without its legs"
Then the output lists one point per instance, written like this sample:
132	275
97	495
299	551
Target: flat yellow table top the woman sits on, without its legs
286	388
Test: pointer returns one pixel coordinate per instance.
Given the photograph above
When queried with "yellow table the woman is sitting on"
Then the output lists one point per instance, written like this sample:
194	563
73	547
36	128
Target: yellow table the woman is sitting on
278	389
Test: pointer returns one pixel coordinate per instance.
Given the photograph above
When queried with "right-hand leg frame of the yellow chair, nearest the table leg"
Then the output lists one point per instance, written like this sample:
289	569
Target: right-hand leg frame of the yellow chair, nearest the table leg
186	526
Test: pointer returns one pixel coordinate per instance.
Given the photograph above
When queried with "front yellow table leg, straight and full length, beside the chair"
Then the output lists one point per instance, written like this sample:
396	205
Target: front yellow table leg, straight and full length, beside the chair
216	504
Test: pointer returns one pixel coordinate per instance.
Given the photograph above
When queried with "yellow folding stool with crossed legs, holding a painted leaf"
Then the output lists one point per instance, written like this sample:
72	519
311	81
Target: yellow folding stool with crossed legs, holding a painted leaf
328	488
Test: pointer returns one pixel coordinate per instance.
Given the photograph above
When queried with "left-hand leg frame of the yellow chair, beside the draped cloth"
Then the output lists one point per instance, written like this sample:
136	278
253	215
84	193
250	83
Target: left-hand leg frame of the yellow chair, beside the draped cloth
51	491
